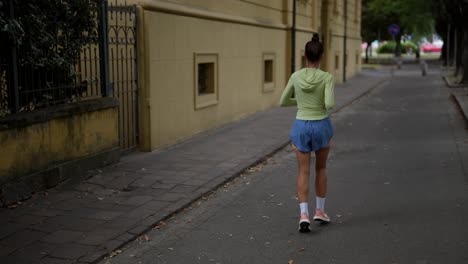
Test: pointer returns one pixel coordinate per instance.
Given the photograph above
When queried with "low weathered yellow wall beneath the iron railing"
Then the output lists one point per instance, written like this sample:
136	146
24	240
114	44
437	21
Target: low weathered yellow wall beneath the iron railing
35	147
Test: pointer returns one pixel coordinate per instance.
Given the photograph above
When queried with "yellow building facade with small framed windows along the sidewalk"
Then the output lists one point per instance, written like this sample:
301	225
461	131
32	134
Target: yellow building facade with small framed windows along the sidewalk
204	63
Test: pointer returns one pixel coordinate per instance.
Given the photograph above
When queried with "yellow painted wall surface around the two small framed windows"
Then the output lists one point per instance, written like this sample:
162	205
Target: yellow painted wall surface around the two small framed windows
174	40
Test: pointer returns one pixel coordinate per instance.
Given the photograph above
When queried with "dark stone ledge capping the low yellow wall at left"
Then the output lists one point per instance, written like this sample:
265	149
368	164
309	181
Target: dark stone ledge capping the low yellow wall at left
43	115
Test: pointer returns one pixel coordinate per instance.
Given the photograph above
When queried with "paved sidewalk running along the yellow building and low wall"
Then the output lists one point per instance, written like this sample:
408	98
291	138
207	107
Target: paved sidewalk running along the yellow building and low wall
83	222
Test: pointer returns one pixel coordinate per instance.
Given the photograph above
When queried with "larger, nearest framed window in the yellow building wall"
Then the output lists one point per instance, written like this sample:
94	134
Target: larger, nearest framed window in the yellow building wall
206	80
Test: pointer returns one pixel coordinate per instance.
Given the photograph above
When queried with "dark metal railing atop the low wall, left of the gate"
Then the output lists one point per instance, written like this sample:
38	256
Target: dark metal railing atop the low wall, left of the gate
59	74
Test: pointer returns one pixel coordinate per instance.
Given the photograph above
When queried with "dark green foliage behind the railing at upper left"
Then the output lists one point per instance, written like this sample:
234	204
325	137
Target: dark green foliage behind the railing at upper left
48	36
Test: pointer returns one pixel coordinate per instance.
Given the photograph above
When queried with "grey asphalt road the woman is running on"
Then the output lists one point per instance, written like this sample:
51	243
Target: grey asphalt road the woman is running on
398	193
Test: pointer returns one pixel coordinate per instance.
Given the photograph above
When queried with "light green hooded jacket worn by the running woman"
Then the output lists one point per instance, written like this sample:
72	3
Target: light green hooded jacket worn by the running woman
313	91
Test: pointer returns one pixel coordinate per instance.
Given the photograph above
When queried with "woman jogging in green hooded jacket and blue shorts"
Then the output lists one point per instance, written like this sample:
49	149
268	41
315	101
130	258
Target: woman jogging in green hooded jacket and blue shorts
312	131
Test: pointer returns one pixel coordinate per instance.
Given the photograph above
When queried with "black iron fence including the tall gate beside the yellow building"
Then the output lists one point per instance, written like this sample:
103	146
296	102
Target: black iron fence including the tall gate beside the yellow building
59	57
